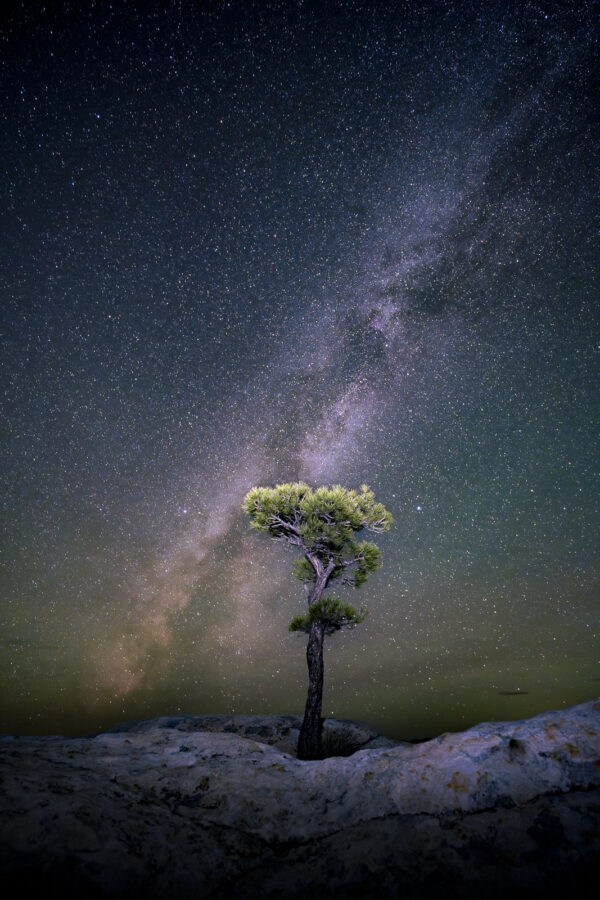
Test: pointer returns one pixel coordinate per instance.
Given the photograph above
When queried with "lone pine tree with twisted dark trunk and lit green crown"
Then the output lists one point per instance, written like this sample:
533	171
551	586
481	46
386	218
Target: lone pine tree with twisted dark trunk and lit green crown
322	525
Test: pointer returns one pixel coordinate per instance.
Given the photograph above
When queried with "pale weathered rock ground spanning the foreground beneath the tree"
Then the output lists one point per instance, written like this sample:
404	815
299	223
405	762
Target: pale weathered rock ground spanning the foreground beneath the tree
161	809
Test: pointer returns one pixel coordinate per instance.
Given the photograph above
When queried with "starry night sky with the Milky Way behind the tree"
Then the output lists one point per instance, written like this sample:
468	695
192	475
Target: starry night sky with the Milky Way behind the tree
341	242
